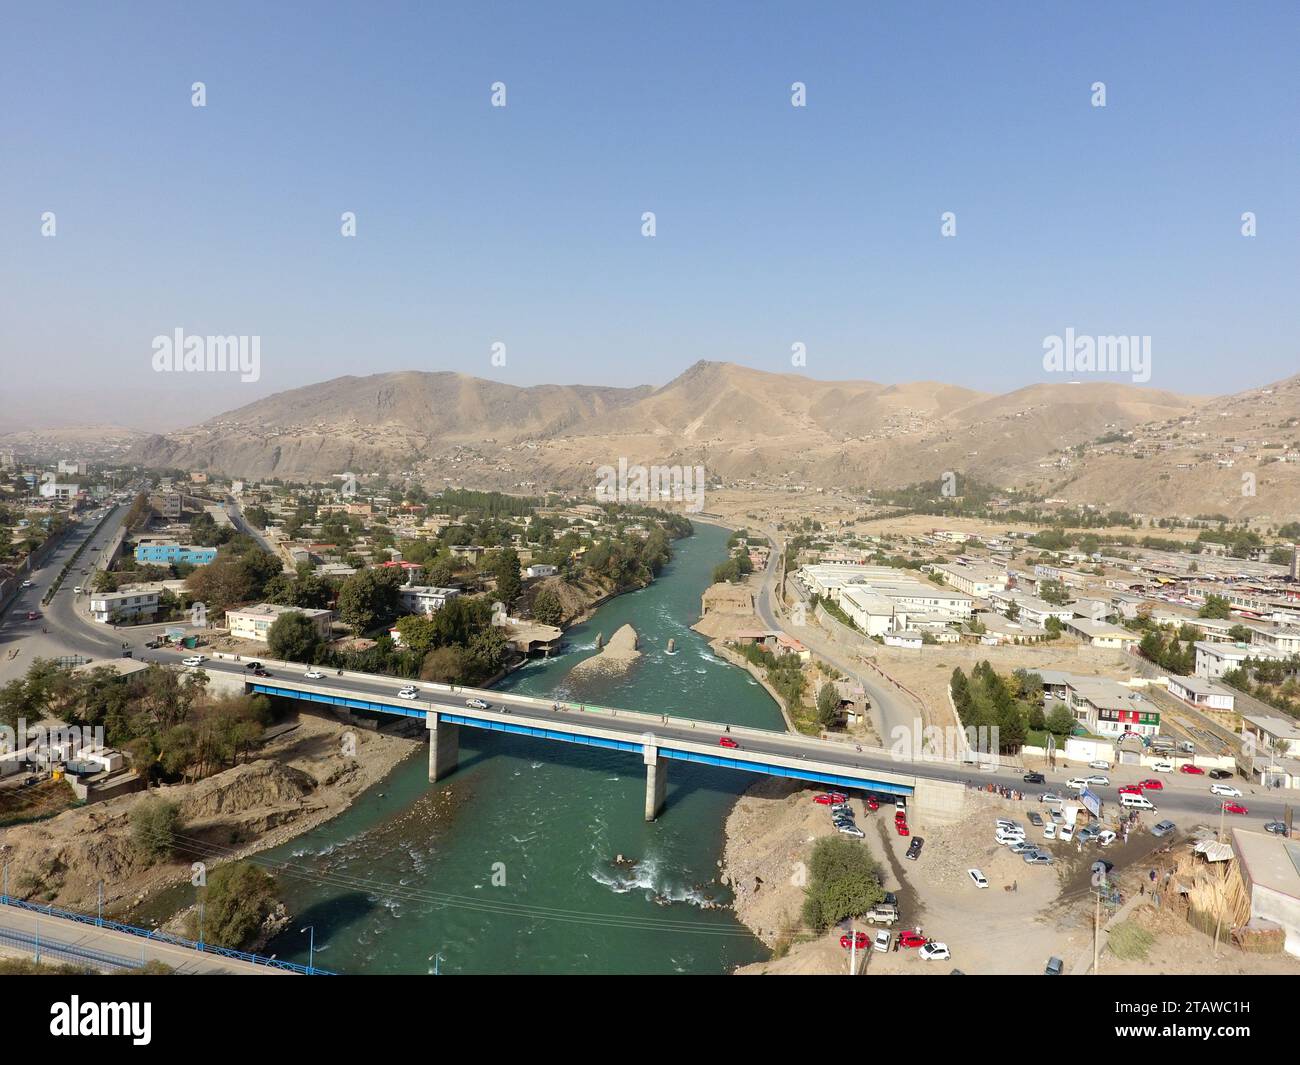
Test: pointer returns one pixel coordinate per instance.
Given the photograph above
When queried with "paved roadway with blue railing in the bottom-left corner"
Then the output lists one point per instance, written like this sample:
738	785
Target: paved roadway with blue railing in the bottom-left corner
110	950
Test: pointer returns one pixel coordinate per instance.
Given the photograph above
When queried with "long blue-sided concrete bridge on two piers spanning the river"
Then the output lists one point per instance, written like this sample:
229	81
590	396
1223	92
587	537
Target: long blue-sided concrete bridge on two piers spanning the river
657	739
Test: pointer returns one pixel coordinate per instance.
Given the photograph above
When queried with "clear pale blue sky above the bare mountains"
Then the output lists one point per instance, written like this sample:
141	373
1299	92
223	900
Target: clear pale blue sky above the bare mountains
523	224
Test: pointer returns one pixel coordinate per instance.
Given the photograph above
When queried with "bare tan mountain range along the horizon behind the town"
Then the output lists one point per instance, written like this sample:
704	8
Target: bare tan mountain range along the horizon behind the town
1076	441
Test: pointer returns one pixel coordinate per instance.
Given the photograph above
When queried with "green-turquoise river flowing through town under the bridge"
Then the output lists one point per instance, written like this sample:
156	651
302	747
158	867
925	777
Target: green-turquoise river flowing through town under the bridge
510	864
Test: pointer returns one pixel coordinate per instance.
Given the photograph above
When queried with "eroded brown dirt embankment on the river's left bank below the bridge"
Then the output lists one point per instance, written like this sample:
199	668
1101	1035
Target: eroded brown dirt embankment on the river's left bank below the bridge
300	780
